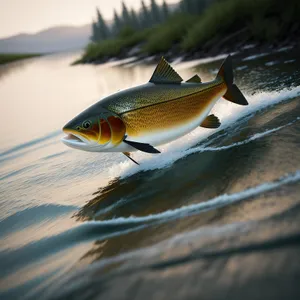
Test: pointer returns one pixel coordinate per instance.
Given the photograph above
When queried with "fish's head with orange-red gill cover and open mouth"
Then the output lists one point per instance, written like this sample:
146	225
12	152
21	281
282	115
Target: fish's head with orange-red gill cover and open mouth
95	129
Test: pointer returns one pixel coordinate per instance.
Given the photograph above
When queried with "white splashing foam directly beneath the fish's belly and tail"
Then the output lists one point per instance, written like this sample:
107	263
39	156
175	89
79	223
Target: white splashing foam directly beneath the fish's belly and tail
228	114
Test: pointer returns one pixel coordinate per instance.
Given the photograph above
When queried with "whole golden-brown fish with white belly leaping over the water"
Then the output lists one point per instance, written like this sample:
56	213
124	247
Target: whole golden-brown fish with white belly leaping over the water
158	112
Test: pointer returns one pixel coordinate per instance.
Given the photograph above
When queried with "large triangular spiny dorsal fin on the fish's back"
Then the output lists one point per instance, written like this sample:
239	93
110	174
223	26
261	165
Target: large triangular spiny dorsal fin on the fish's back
164	73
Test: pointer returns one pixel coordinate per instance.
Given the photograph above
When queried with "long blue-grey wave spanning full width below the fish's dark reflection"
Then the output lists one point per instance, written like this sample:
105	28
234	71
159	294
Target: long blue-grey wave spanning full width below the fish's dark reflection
101	230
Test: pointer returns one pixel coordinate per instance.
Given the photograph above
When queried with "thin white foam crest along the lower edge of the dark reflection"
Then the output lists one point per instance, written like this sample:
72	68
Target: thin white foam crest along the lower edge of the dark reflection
214	203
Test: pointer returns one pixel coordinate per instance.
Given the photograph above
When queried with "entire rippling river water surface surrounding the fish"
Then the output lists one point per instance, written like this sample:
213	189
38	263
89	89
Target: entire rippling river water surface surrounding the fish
67	216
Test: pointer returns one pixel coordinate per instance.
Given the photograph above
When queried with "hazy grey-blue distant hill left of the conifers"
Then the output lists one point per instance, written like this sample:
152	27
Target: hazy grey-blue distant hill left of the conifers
55	39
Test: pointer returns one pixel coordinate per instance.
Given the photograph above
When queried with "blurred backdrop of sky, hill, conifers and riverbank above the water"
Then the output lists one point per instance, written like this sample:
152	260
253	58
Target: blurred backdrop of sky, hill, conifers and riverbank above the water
106	29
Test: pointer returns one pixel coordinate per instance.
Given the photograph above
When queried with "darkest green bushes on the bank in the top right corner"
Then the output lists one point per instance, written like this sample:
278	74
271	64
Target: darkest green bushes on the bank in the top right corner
266	20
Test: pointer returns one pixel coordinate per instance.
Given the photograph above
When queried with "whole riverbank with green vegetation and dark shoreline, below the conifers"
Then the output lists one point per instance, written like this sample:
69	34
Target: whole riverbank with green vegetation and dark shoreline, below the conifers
260	26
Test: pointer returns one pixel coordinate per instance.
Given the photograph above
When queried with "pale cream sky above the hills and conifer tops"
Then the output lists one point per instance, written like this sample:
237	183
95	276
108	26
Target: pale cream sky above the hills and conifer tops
30	16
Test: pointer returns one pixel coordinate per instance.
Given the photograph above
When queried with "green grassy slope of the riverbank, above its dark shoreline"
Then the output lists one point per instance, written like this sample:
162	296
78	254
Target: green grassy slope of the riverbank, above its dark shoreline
265	21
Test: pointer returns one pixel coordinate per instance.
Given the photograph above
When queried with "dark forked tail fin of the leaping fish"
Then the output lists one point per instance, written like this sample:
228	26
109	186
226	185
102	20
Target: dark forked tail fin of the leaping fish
233	93
